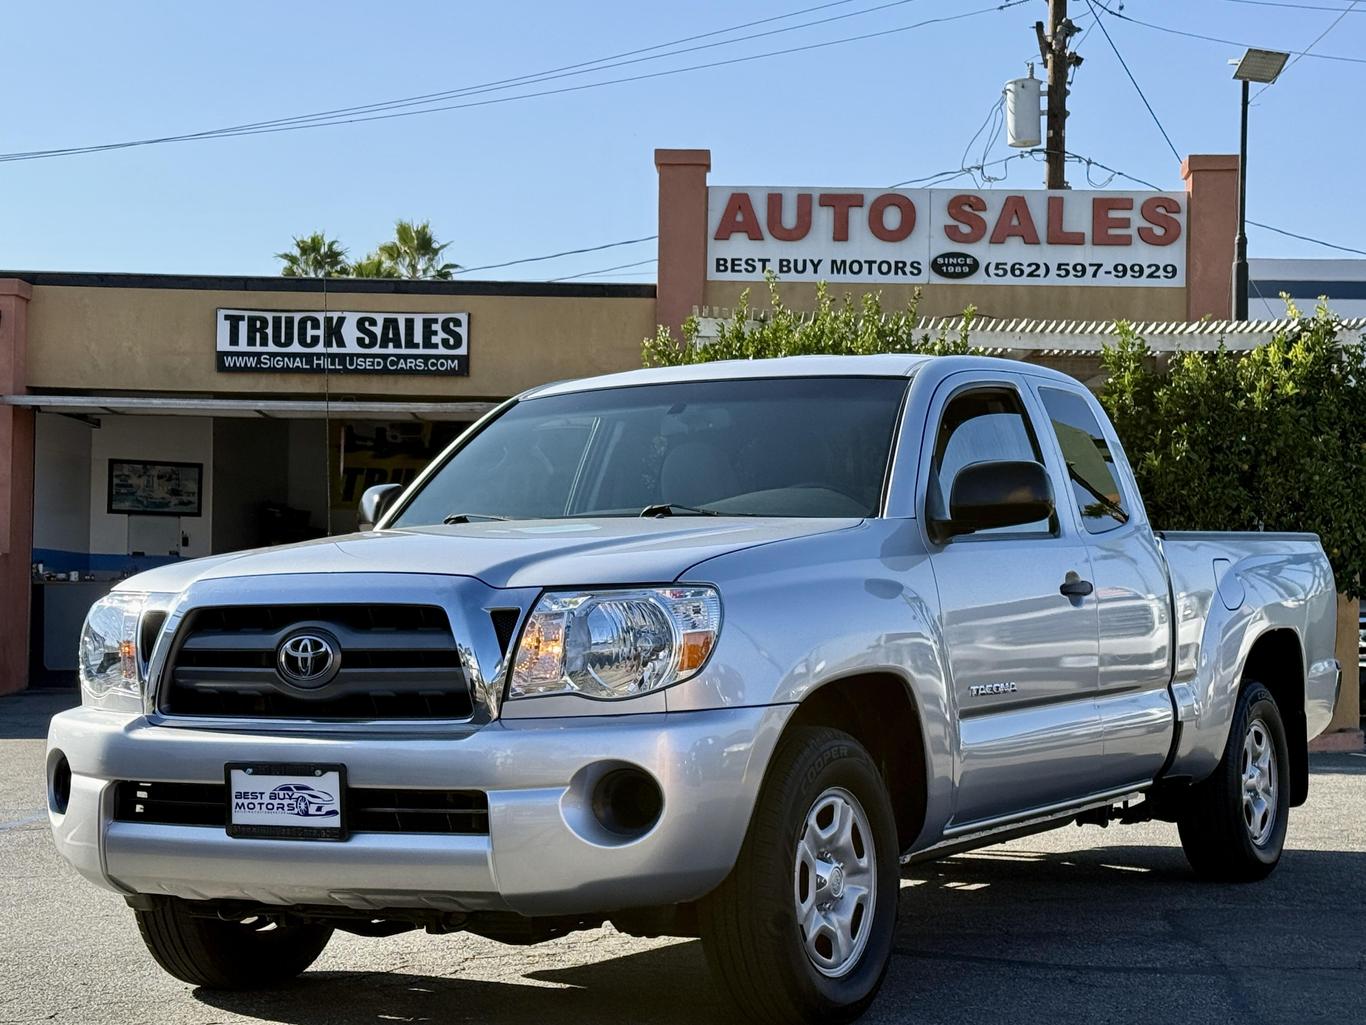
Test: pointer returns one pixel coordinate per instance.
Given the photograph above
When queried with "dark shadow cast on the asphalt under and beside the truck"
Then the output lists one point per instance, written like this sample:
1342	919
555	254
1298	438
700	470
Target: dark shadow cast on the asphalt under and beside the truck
1110	934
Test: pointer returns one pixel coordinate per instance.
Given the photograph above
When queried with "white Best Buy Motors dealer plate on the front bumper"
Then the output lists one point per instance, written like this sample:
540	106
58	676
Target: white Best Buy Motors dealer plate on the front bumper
289	802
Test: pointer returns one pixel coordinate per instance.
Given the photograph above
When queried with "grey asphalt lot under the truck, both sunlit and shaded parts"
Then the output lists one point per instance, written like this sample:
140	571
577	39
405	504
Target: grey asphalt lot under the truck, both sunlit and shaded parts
1073	926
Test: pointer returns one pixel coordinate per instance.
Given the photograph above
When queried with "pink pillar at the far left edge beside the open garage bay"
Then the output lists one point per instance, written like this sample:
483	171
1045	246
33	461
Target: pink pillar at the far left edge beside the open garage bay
16	489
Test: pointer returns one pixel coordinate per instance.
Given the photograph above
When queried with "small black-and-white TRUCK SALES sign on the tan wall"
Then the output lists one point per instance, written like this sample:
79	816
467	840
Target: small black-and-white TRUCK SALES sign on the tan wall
344	342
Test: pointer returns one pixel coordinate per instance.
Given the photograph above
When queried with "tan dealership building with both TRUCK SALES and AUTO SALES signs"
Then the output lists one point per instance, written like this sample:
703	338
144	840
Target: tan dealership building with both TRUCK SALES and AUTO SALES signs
156	418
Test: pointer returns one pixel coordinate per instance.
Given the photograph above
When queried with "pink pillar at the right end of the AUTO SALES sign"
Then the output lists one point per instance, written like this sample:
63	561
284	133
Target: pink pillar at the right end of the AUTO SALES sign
1211	226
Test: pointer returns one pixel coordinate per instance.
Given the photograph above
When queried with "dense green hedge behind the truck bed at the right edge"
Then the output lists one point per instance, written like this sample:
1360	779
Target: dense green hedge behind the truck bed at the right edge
1272	439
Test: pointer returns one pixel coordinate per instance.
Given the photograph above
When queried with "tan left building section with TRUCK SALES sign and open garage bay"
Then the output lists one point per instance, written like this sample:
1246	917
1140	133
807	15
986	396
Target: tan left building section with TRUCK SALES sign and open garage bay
156	418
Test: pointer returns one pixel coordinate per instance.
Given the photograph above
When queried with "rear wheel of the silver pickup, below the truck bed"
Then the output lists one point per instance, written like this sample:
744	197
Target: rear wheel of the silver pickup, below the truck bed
1234	825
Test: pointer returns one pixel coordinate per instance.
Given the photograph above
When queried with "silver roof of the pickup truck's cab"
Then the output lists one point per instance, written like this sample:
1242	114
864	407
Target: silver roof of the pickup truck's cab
876	366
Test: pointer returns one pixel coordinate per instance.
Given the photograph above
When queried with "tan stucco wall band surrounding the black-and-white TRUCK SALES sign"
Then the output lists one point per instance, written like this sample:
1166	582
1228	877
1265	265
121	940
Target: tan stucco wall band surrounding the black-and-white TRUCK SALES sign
100	340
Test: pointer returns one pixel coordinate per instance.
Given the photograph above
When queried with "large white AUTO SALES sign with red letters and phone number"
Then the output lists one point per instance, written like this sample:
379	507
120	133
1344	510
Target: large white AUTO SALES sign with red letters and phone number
945	236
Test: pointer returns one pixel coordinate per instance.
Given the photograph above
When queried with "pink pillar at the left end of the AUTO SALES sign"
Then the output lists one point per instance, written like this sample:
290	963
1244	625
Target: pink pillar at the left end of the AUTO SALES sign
682	273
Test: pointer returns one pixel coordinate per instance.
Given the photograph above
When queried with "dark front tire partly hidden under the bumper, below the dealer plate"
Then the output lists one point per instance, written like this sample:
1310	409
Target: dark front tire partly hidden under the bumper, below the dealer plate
219	955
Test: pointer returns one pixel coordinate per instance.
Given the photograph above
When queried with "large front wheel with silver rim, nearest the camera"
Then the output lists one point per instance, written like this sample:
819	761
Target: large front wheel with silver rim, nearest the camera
820	781
